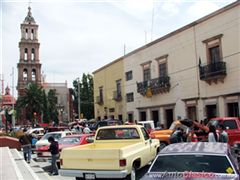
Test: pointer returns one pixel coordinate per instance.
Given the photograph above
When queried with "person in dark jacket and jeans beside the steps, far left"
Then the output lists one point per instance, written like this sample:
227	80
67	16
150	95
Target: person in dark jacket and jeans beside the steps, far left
25	141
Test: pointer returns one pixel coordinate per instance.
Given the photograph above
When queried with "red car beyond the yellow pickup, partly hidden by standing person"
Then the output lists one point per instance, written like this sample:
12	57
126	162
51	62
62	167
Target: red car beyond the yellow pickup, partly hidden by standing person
67	141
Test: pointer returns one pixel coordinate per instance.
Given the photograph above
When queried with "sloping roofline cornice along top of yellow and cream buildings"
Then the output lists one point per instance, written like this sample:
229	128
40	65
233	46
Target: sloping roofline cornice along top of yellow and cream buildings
188	26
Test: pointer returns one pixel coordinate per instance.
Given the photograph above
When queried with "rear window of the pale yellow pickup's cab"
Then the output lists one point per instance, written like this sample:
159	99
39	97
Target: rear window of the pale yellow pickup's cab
117	134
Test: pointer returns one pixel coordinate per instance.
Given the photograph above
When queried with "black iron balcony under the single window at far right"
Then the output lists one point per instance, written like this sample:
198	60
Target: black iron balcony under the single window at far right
213	72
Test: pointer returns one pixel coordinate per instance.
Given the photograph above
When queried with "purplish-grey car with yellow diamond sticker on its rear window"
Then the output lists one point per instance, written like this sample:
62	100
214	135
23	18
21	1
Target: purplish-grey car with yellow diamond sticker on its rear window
194	160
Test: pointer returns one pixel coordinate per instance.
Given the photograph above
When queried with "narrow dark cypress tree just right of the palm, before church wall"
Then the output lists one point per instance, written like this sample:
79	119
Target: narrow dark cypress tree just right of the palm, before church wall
52	100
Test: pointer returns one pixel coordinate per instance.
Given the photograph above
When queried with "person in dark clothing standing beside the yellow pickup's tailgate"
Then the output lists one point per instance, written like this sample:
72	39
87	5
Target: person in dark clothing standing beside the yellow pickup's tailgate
54	149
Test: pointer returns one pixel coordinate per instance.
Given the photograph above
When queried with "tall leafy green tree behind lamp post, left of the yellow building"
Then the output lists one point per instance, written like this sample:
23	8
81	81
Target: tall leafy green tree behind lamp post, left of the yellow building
86	96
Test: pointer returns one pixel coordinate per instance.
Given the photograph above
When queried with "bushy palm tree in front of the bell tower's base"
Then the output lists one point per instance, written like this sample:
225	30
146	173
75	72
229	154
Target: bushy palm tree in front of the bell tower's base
31	102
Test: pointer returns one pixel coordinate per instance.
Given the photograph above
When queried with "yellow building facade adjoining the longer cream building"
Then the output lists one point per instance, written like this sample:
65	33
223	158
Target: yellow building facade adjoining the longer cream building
109	99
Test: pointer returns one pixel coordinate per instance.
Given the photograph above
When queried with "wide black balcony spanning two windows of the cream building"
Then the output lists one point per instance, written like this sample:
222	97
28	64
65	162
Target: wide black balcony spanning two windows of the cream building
154	86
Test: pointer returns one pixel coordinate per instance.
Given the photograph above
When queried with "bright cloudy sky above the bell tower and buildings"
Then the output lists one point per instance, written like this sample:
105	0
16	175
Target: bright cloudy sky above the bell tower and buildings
81	36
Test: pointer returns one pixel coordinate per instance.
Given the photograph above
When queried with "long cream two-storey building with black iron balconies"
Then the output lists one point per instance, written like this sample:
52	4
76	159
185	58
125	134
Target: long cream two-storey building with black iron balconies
192	72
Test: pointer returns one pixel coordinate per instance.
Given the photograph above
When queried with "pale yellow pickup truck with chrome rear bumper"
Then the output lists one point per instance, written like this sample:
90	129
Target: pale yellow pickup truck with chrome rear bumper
117	152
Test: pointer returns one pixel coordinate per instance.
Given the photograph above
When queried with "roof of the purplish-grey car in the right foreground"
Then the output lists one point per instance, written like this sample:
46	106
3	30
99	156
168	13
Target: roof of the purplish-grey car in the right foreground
196	147
